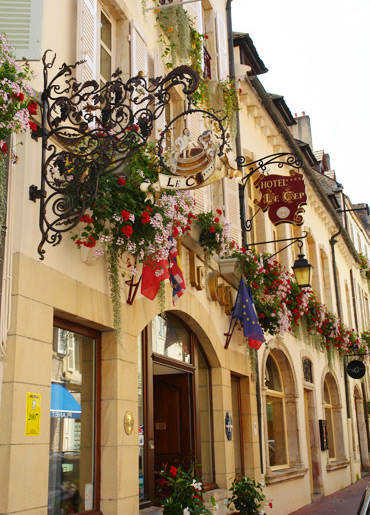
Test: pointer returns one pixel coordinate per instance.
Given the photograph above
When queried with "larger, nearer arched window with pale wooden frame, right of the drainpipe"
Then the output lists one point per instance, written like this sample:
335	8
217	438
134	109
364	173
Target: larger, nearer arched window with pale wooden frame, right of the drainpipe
281	413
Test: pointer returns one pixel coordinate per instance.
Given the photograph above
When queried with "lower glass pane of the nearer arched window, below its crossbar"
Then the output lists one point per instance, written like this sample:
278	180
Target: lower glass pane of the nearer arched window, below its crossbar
276	431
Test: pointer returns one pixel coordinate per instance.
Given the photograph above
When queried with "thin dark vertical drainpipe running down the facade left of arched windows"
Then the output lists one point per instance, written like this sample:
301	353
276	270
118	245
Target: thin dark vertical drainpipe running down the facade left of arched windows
238	147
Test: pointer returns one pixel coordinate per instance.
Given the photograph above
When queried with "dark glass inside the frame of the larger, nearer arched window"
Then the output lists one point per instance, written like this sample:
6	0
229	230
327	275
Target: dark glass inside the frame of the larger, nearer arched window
275	414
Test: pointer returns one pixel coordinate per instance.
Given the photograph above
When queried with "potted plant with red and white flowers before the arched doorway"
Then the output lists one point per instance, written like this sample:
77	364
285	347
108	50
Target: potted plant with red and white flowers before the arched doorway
181	492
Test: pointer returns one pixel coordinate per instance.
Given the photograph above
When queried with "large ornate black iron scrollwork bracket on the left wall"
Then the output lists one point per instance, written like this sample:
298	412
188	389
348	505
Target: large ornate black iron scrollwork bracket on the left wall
107	123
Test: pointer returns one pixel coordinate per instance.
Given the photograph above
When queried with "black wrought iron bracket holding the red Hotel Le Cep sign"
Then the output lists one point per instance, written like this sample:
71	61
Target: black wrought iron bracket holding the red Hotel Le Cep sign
280	159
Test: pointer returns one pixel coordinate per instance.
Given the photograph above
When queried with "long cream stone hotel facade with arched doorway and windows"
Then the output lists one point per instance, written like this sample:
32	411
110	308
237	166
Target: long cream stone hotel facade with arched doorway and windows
172	378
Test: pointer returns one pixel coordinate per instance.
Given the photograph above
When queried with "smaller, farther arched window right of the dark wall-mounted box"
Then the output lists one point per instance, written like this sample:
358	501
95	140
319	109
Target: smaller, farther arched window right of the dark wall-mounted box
333	417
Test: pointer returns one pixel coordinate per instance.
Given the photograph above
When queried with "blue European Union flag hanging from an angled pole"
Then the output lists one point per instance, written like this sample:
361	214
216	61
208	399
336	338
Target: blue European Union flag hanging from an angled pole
244	310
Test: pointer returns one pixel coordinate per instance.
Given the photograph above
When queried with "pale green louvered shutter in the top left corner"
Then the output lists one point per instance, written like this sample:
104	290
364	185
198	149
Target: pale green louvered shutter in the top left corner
21	22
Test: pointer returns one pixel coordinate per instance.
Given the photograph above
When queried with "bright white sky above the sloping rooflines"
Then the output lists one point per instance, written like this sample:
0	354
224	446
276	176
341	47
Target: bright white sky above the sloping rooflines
318	57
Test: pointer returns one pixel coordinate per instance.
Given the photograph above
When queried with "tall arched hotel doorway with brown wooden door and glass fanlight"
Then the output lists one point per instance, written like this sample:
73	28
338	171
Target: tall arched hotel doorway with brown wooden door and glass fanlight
174	403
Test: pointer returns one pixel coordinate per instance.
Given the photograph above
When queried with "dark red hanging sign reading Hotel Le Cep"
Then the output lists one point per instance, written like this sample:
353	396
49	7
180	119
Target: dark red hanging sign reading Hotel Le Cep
283	196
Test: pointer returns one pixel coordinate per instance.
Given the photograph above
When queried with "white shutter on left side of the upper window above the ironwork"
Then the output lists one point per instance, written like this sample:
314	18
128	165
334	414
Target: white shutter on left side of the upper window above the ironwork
87	45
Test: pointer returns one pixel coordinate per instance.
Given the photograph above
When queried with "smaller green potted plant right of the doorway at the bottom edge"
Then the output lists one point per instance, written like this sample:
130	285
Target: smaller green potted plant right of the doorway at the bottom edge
247	496
